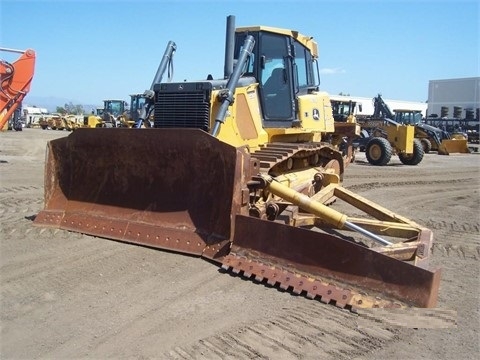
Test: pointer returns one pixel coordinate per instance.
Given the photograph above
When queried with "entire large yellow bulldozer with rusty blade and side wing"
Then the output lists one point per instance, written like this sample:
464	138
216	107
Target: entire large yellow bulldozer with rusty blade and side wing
243	171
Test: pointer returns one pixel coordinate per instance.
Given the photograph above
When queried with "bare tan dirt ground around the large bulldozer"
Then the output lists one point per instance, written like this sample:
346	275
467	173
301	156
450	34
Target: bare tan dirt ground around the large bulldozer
66	295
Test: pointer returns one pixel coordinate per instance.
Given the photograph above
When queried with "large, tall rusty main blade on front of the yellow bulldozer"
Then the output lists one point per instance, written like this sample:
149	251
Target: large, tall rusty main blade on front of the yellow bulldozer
165	188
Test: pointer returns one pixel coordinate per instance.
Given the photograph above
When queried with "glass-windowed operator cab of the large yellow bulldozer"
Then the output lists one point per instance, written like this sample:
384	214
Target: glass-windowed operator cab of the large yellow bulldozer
283	66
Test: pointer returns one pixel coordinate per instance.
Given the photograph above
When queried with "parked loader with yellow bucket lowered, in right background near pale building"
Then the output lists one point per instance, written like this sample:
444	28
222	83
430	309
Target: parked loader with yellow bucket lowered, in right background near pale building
432	138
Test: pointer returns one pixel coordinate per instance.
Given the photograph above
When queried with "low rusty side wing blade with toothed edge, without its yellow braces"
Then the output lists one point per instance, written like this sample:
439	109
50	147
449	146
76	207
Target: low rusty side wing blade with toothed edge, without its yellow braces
326	259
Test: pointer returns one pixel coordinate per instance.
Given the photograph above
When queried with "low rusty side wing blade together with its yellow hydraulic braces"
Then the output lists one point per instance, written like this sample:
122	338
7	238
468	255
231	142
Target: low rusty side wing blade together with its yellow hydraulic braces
330	267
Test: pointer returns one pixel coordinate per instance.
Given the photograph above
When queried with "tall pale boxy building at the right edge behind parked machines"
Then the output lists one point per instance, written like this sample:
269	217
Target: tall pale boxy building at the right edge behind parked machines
453	97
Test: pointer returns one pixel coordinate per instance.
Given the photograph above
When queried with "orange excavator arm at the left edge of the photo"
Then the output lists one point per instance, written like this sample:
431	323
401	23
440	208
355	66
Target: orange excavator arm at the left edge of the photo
16	79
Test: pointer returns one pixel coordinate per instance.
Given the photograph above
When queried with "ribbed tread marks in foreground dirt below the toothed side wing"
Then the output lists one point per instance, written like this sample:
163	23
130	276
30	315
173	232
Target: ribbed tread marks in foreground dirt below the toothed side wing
309	331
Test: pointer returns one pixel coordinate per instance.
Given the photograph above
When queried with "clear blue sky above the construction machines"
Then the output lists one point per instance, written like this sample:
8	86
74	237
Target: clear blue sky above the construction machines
88	51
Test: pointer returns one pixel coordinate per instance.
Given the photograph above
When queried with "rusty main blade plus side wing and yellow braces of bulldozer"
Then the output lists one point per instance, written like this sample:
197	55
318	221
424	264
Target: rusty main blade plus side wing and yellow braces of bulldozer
186	191
